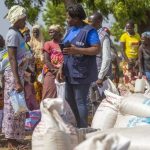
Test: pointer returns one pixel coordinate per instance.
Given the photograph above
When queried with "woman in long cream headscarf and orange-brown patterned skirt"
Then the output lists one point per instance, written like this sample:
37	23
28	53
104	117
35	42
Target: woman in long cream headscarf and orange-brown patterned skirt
36	43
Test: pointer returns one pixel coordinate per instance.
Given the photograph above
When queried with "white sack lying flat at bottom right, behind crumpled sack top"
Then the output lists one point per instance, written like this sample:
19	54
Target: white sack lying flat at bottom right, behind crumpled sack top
139	137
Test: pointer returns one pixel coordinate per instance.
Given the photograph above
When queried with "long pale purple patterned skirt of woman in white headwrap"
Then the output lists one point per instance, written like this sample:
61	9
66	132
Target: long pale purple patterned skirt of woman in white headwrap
13	126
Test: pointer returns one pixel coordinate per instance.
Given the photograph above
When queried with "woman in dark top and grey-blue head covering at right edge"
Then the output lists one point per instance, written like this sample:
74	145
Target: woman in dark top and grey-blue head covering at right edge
144	56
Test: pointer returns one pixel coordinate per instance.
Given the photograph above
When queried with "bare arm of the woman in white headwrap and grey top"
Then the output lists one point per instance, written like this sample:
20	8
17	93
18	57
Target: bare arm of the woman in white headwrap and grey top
12	51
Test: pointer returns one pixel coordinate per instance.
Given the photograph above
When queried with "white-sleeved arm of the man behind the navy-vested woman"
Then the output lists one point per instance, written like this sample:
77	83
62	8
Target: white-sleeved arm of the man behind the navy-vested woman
106	59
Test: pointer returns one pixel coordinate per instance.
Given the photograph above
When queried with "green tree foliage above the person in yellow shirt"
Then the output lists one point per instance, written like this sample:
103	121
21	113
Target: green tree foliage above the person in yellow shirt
123	10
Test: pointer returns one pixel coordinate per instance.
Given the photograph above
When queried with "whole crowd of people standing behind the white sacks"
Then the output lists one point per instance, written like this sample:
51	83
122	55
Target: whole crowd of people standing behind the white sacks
82	57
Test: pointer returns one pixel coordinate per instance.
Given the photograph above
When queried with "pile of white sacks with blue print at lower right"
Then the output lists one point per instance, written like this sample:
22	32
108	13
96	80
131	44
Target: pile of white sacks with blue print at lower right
124	122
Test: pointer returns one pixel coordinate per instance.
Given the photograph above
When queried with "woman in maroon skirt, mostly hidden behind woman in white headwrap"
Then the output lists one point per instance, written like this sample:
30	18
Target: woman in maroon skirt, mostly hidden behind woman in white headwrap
29	74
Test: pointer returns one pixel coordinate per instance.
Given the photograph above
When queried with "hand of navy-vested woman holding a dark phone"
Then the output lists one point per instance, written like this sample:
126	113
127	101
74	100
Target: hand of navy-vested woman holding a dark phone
71	50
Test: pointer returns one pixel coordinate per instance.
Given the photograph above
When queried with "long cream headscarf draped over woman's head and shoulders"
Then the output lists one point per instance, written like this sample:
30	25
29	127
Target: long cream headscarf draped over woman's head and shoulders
36	44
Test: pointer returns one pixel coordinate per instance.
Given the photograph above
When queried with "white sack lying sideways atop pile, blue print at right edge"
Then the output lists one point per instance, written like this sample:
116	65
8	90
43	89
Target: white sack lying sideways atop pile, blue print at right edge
136	104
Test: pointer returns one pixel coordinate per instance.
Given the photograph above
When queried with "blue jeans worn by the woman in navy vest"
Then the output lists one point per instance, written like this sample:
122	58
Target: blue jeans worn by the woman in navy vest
76	96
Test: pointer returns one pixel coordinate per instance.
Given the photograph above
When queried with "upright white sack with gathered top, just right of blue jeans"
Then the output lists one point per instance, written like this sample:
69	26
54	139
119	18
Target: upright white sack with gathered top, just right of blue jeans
106	114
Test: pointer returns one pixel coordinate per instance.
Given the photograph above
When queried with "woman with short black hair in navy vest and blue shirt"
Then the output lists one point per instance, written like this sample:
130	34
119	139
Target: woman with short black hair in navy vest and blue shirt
81	46
